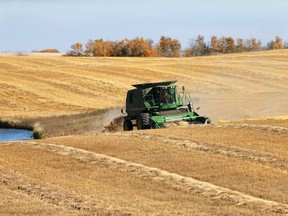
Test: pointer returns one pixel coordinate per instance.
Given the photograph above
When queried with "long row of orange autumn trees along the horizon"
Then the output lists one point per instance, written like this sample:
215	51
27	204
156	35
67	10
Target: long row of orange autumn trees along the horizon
171	47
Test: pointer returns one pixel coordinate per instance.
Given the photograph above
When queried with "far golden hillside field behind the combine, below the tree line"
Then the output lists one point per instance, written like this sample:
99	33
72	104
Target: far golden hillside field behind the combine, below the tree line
227	87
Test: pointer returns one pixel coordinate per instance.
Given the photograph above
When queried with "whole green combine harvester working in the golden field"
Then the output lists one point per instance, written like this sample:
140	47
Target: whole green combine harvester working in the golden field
151	105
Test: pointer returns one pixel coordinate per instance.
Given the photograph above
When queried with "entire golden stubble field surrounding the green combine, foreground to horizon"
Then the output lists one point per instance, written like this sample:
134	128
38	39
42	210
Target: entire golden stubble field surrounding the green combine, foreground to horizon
236	166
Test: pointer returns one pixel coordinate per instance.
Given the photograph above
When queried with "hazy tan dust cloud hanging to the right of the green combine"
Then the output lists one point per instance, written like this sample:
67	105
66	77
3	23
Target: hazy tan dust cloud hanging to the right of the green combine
235	105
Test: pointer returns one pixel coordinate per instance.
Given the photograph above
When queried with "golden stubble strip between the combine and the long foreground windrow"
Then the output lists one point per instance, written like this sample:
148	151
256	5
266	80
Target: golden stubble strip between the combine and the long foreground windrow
219	164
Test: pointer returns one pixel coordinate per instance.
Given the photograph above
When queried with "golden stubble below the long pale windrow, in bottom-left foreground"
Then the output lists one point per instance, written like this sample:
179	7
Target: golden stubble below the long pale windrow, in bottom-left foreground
81	183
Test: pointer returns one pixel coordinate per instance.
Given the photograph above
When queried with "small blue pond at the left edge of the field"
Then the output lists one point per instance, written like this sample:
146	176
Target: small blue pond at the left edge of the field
15	134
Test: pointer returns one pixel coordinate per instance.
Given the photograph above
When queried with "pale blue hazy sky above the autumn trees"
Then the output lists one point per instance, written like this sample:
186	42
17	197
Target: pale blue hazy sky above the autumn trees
33	25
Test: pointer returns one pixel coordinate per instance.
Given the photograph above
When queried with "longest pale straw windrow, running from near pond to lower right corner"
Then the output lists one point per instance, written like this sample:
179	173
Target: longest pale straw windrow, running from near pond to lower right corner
171	179
